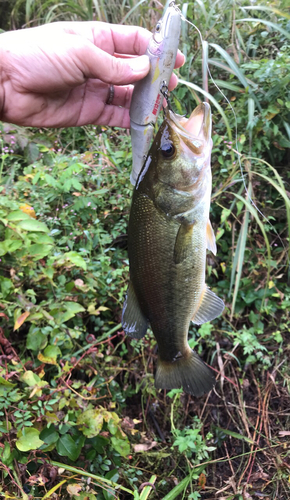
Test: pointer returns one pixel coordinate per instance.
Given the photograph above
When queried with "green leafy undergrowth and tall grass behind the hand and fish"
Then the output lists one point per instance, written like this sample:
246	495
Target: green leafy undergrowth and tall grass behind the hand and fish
80	417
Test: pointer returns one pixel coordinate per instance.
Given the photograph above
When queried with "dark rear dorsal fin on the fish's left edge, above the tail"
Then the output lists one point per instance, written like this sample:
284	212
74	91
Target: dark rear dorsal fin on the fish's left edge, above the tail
133	320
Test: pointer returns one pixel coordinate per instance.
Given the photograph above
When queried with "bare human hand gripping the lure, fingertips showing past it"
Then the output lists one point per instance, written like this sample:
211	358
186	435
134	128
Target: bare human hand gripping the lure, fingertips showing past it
59	74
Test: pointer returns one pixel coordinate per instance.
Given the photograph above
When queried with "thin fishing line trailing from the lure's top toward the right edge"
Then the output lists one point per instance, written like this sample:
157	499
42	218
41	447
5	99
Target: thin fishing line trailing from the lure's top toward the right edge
236	135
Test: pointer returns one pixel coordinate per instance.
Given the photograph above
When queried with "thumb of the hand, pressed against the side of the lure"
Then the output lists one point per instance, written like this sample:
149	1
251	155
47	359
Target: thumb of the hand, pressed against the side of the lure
115	70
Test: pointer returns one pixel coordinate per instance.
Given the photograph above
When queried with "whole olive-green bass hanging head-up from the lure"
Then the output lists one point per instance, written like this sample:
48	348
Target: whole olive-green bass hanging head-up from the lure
168	234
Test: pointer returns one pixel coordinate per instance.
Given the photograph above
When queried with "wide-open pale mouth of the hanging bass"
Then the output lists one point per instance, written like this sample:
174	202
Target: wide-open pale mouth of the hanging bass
196	129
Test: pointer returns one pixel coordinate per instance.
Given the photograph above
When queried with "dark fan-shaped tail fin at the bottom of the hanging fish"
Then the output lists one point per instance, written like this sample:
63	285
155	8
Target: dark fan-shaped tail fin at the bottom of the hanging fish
187	372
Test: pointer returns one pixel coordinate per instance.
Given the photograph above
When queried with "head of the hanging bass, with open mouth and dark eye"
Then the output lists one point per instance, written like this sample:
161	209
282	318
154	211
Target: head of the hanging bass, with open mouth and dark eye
181	151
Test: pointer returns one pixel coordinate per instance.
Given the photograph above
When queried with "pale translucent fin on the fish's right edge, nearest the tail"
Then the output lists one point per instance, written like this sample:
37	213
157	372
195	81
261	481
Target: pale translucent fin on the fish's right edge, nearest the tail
210	307
